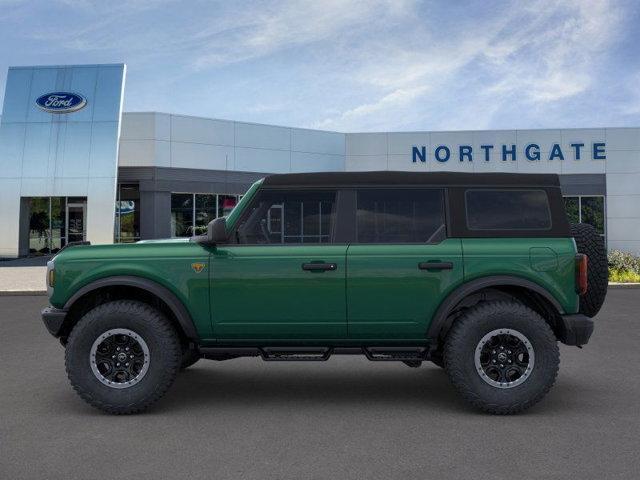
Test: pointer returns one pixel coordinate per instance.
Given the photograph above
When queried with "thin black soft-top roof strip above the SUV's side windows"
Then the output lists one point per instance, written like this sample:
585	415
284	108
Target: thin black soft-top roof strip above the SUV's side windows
413	178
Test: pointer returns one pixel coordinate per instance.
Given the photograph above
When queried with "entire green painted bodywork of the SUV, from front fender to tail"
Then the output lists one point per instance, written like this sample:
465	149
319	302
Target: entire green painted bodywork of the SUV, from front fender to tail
261	294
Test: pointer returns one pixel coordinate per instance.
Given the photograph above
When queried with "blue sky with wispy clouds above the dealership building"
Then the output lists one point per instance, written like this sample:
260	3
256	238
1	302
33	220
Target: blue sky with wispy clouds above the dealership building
350	65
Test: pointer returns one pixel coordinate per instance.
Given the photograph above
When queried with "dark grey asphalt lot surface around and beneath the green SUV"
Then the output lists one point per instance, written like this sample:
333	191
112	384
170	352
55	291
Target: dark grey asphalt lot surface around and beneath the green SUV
345	418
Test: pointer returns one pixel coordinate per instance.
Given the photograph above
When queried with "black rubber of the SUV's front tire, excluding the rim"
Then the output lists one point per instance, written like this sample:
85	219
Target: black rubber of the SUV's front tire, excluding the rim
164	356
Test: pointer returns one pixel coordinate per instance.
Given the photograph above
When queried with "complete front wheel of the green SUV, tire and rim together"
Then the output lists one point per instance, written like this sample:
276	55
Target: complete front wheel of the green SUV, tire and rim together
122	356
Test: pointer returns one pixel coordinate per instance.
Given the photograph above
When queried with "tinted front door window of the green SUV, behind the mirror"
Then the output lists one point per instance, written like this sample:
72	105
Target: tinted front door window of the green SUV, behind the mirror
288	217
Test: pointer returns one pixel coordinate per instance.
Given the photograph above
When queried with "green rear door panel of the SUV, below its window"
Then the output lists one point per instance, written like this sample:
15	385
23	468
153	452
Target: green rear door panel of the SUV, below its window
389	297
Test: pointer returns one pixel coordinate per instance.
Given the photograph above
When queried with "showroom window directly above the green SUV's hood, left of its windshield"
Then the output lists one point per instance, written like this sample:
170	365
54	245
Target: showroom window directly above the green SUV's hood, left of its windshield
191	212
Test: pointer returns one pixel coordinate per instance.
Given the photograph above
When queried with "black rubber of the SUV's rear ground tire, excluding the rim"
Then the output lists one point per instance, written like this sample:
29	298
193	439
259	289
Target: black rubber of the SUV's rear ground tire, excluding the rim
464	337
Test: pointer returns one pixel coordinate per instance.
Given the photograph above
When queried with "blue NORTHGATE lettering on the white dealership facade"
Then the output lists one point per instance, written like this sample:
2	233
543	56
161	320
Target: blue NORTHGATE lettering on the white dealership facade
577	151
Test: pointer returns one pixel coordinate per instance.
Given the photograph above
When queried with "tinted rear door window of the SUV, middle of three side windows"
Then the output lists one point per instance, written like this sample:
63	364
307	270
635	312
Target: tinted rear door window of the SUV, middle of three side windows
400	216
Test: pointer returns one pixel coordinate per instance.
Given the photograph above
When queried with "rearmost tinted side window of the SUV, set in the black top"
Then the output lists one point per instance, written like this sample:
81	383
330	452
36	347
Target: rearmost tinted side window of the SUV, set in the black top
490	209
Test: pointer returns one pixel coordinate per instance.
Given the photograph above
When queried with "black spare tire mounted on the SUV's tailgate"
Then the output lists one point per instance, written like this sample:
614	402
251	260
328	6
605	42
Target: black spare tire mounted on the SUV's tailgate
589	242
